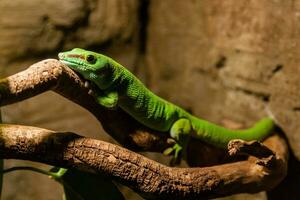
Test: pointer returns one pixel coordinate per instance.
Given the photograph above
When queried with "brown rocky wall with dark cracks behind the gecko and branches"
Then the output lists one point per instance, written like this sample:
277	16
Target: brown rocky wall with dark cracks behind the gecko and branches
221	60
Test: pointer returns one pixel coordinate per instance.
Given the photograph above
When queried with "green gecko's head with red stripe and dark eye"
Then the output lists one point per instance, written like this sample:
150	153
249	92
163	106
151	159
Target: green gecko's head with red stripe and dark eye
87	63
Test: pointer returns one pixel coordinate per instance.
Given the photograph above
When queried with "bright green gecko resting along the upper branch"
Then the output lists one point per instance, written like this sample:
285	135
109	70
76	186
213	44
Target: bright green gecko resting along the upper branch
113	85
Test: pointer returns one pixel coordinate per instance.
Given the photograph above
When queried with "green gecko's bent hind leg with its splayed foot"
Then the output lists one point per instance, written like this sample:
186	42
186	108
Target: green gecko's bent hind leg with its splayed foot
180	131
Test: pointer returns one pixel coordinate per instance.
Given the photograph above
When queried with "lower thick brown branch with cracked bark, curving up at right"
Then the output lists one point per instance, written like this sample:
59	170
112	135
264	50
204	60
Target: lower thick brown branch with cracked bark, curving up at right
147	177
